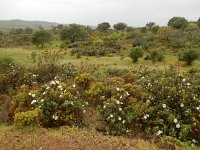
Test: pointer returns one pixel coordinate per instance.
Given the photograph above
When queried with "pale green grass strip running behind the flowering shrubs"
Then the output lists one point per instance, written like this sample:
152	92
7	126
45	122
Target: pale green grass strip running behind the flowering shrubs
22	55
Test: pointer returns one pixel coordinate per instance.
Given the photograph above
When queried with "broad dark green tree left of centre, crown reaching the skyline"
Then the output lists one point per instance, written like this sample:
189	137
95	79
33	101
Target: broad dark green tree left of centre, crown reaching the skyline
73	32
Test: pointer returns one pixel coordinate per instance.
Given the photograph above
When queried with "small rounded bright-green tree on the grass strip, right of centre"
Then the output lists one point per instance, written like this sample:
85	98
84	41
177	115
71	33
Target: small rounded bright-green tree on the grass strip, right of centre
135	53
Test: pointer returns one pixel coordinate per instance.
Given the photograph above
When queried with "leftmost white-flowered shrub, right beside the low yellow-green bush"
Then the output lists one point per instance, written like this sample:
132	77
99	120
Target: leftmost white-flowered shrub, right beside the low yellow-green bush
60	105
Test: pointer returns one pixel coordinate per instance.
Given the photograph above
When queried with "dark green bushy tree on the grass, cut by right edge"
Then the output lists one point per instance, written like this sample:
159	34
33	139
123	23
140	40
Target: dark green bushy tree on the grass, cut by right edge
189	56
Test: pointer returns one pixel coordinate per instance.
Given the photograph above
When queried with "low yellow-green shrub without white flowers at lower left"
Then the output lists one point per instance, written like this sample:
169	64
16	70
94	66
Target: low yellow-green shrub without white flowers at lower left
28	118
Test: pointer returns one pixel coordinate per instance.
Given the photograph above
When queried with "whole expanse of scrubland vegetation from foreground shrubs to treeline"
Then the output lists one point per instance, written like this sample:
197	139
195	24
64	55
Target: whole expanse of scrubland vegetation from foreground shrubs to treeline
139	83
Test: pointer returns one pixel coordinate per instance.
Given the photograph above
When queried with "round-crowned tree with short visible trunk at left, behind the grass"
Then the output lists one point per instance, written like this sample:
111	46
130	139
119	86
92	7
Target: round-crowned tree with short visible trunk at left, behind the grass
41	37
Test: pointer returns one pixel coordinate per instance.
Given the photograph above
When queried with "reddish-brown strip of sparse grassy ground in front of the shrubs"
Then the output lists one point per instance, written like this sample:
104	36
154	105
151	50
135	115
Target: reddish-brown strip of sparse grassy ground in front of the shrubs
70	138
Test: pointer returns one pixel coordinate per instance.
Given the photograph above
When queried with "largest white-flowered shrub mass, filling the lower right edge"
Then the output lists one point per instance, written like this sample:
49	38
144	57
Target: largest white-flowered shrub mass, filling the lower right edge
174	104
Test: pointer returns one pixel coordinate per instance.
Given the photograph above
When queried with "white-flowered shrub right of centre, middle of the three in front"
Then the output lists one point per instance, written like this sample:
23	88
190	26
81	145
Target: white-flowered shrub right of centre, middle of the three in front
124	110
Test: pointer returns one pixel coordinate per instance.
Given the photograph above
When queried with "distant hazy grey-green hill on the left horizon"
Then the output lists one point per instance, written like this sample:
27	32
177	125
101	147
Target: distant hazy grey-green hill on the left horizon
9	24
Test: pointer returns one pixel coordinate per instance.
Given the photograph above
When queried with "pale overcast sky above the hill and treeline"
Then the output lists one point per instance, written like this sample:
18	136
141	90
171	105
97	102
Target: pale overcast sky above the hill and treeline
92	12
